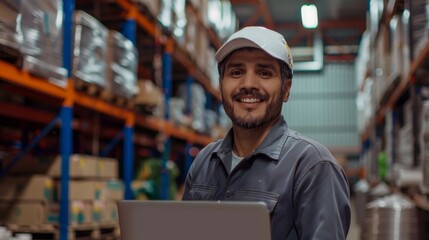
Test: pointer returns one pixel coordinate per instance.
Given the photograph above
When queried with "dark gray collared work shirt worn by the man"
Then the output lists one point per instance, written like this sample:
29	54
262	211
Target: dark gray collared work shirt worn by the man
304	187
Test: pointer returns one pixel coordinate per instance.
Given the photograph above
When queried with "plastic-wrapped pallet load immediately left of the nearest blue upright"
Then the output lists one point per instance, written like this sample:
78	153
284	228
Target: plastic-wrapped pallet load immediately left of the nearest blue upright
42	30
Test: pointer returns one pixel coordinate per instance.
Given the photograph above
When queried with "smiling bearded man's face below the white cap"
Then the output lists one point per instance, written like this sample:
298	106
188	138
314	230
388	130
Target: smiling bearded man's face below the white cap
251	88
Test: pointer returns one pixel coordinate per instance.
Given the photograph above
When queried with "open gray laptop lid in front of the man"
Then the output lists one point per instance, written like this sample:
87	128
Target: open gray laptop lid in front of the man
193	220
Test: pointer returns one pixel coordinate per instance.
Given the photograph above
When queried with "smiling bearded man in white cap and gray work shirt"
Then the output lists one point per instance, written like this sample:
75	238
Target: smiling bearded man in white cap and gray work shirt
261	159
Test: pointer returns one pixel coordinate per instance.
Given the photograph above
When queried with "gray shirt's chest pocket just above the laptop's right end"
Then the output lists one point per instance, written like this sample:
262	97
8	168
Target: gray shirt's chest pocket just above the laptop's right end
270	199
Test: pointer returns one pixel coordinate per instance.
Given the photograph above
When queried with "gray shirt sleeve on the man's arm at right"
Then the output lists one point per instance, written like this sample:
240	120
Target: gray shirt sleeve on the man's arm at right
322	203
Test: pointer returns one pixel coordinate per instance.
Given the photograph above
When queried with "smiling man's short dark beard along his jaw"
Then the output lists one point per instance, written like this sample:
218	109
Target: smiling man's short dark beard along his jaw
272	111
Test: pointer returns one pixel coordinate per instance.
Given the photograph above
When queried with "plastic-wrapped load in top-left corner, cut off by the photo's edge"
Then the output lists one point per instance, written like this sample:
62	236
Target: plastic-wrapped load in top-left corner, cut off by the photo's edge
10	35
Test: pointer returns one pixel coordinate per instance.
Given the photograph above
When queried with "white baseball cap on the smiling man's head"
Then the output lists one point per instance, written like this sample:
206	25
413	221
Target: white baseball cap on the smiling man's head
268	40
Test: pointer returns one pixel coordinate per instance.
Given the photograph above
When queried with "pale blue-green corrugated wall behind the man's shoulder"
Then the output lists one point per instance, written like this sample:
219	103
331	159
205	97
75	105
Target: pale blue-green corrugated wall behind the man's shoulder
322	106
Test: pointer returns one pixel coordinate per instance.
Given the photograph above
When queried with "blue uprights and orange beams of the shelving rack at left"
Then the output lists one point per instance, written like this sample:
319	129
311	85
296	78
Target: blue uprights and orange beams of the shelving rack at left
67	98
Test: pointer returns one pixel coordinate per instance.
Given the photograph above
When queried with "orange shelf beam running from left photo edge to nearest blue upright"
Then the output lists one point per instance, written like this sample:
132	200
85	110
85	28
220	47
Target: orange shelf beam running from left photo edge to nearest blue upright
16	76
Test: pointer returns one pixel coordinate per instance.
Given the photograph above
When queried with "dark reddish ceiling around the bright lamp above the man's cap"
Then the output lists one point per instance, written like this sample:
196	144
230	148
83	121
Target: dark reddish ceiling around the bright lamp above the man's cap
341	22
